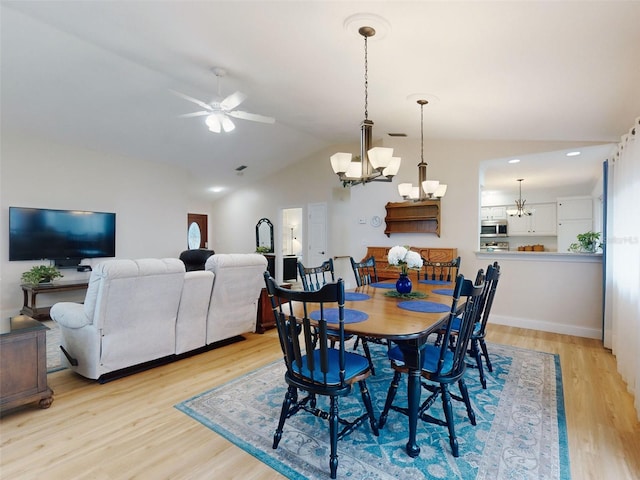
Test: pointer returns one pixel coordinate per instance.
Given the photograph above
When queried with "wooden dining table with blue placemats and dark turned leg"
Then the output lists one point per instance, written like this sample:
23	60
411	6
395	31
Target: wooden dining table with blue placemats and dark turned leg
405	321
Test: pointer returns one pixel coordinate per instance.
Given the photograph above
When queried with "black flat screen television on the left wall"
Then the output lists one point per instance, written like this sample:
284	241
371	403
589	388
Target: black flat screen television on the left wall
65	236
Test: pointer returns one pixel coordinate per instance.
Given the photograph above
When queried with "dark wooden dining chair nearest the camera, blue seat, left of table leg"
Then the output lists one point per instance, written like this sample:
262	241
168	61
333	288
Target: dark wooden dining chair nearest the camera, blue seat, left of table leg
313	365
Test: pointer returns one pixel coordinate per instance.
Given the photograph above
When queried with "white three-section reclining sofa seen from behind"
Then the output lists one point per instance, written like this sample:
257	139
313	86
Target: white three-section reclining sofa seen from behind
137	311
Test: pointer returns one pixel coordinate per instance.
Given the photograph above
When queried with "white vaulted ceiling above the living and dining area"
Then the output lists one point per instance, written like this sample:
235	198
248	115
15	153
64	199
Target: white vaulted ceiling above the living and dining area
99	74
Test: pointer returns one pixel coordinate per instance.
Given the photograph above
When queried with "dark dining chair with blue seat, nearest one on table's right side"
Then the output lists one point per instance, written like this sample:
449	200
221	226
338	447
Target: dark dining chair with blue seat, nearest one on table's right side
442	365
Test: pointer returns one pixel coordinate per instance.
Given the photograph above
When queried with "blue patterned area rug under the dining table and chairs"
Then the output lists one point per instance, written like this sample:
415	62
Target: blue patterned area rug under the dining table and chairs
520	432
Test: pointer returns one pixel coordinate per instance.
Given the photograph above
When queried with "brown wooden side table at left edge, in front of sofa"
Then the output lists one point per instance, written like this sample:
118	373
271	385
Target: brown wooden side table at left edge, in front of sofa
23	363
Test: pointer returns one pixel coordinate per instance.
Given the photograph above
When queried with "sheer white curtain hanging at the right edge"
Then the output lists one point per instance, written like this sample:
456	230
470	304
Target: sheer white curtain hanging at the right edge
622	312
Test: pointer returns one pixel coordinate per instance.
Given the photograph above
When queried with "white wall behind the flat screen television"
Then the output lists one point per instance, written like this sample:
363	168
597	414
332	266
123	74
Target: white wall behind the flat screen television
150	200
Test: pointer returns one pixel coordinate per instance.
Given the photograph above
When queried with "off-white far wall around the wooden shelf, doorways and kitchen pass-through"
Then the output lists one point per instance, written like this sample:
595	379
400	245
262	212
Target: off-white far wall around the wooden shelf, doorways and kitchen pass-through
455	163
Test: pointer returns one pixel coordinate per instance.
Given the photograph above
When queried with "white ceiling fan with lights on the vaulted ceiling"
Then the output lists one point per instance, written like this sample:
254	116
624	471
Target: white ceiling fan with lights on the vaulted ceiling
219	110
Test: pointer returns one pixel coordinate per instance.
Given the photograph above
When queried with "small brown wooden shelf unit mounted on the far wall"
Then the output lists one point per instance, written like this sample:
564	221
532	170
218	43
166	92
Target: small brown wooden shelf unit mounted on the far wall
413	217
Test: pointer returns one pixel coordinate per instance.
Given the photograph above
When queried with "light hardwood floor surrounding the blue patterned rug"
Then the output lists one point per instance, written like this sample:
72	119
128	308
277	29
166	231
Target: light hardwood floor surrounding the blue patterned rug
129	428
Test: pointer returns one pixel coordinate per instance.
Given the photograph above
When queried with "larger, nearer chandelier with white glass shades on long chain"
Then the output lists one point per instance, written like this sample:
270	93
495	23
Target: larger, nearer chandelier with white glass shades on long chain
374	164
